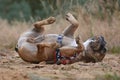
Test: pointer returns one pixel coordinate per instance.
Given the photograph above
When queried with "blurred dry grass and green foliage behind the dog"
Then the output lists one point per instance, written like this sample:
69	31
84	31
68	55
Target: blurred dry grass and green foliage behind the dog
96	17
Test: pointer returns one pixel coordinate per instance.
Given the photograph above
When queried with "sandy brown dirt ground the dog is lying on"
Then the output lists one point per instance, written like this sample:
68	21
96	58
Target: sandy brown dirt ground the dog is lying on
12	67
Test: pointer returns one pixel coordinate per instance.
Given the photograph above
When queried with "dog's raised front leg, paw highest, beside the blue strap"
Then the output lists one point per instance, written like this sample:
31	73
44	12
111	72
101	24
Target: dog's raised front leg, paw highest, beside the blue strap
69	31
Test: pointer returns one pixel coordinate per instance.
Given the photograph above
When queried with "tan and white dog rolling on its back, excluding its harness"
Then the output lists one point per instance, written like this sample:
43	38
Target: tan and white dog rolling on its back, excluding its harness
35	46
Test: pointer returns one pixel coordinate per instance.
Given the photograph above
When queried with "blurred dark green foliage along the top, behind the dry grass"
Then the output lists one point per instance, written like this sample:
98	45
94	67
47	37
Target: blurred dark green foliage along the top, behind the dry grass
25	10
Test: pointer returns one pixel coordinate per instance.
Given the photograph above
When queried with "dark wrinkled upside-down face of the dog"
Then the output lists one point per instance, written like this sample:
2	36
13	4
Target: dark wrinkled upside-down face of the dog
98	44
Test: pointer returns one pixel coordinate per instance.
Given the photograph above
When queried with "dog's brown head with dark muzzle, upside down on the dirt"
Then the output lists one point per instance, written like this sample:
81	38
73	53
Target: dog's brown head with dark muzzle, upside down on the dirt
96	49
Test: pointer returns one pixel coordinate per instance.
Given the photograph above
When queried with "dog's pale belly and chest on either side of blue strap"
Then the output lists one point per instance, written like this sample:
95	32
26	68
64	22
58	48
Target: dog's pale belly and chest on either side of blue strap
66	41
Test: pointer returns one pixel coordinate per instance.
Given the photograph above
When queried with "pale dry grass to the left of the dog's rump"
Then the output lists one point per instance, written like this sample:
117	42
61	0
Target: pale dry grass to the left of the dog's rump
9	33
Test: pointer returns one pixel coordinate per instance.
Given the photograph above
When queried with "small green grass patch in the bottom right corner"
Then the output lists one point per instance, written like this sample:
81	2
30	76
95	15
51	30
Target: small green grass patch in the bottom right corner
108	77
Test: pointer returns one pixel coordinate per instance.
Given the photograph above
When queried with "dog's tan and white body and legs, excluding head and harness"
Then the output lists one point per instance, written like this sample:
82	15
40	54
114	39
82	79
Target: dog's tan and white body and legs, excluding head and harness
34	46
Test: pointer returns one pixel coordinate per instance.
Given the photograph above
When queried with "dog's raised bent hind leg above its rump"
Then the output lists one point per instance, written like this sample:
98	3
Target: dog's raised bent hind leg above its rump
36	34
